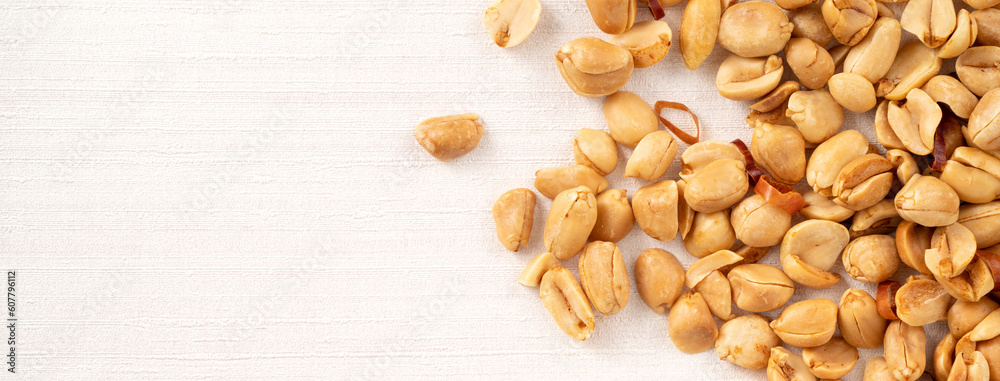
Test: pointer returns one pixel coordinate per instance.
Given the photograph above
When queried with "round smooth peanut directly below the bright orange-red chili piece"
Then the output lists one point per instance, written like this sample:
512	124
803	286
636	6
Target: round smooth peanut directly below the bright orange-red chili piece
758	223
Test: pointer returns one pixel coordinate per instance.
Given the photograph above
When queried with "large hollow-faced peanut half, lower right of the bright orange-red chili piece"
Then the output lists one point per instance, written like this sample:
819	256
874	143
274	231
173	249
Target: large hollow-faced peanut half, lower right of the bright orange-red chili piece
809	250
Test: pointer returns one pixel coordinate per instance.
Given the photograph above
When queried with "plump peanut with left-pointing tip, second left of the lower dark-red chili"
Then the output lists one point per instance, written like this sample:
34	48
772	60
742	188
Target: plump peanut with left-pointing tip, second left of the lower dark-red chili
808	323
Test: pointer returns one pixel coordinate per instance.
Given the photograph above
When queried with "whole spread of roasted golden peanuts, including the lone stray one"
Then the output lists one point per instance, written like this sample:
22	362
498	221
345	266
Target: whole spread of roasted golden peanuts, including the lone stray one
927	198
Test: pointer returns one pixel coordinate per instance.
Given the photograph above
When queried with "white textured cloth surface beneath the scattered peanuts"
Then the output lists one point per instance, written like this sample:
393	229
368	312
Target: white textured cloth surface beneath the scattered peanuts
231	189
